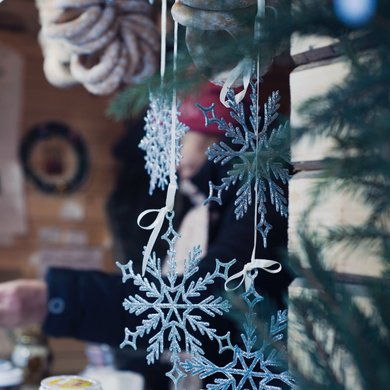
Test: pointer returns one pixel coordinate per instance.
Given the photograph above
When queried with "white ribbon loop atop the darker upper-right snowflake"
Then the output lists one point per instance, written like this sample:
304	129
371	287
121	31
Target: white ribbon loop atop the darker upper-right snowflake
243	70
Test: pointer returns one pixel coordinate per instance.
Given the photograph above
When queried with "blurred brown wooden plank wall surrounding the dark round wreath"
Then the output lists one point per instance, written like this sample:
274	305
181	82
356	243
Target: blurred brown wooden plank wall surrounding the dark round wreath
85	113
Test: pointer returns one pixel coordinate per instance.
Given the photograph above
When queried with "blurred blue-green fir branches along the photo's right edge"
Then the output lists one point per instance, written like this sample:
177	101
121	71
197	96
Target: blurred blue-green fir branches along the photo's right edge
356	116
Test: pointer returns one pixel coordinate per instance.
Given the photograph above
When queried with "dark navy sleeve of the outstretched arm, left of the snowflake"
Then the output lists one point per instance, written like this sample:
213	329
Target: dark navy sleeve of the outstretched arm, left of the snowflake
86	305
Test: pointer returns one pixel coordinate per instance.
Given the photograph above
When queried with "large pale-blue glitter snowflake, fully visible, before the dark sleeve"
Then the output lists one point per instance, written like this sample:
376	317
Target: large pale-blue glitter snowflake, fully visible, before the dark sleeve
172	307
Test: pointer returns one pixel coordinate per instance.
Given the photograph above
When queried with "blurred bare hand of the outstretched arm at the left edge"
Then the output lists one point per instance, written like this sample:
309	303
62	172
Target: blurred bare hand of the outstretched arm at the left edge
22	302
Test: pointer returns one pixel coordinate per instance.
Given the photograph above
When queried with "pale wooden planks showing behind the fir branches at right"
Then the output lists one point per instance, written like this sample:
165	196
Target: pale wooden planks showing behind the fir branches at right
314	76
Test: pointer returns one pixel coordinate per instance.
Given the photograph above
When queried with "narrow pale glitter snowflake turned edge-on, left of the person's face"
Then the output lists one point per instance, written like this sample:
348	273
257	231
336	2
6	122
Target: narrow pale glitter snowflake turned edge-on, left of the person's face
157	140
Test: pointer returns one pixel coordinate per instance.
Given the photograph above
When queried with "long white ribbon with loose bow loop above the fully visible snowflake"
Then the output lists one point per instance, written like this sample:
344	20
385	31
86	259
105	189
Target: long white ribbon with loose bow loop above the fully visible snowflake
157	224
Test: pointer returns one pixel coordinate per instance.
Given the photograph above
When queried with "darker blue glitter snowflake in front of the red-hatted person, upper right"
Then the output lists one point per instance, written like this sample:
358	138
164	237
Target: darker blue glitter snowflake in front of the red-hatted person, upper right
260	159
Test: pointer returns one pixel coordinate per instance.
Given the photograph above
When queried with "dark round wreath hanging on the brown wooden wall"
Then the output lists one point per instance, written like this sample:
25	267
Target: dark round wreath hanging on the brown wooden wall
54	157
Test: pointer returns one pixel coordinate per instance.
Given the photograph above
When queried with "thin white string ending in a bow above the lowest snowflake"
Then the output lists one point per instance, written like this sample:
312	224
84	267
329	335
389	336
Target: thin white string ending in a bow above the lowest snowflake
247	275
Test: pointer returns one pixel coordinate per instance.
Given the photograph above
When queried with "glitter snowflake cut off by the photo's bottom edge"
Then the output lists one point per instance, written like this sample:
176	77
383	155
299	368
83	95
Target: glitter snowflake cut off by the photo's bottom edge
249	368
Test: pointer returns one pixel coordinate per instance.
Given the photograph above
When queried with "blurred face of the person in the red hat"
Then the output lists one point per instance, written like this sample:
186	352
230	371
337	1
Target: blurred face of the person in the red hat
193	151
